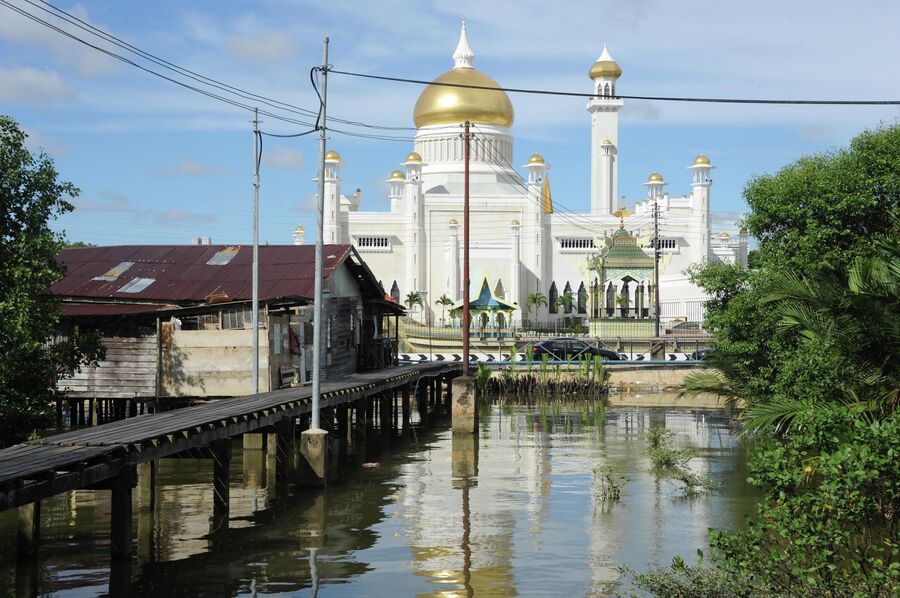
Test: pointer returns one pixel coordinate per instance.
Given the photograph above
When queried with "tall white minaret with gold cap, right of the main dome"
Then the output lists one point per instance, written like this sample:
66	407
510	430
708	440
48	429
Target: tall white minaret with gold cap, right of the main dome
604	109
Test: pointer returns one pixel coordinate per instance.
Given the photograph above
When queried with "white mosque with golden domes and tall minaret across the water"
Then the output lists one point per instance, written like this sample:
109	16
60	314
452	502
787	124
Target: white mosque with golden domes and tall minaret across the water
520	244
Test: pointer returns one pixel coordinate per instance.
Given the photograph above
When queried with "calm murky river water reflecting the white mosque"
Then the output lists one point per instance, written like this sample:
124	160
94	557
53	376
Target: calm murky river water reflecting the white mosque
508	513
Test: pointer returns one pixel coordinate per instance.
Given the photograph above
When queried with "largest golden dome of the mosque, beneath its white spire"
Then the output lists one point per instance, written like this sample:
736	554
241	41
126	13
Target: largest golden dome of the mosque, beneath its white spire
443	105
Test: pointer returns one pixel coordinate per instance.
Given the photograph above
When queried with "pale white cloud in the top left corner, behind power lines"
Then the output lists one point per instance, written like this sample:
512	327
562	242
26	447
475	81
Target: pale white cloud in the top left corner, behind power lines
19	30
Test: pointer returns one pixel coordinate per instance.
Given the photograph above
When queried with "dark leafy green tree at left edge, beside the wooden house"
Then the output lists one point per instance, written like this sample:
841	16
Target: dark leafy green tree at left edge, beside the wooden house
31	196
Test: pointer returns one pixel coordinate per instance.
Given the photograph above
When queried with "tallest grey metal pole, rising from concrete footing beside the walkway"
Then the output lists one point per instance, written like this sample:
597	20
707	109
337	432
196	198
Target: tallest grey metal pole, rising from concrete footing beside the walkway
320	251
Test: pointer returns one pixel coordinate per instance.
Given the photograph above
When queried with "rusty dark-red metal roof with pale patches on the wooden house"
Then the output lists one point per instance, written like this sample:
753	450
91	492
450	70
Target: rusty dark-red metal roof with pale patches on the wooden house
190	273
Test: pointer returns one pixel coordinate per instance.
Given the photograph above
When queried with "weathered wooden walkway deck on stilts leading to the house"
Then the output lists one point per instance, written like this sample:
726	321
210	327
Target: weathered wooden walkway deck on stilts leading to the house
90	456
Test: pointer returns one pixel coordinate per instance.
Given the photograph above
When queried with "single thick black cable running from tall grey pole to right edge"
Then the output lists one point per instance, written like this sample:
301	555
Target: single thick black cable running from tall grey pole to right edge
576	94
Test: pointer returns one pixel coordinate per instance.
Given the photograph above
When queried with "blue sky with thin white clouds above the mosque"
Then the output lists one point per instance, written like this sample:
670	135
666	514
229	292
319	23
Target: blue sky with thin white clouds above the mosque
159	164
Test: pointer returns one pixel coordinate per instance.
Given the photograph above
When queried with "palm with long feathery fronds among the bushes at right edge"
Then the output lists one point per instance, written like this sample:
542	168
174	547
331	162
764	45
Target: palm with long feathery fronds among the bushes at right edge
853	316
